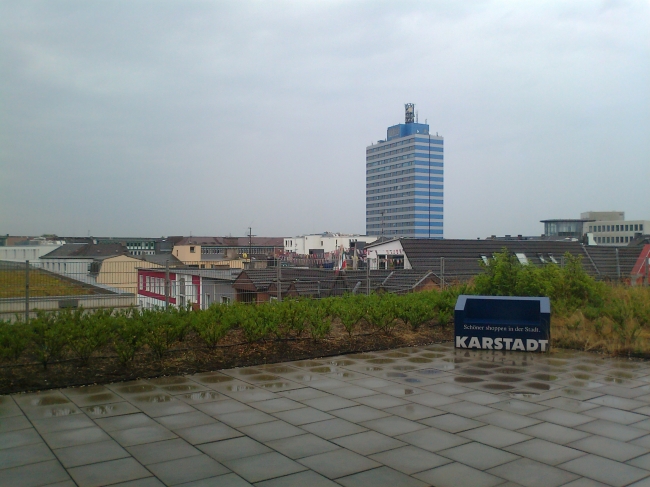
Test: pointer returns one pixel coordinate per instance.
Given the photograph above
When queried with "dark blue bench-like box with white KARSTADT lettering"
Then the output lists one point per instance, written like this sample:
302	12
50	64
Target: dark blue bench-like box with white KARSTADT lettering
503	323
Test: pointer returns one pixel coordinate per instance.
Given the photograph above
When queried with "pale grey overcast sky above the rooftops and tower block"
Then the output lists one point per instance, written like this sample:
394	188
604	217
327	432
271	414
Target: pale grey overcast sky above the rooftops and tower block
153	118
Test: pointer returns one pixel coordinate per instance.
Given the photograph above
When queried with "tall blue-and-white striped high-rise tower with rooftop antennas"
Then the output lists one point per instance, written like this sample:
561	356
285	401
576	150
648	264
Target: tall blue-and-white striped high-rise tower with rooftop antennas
404	181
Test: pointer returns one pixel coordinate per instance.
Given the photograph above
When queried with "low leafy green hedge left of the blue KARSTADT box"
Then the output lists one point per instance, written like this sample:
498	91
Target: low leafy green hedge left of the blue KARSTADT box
80	334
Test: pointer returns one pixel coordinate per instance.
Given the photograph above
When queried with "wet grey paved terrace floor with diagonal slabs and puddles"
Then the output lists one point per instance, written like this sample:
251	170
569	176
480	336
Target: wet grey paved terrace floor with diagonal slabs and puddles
408	417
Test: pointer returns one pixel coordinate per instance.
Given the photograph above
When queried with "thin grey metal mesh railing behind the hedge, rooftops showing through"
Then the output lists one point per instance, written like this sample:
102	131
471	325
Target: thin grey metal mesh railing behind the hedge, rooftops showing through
28	287
